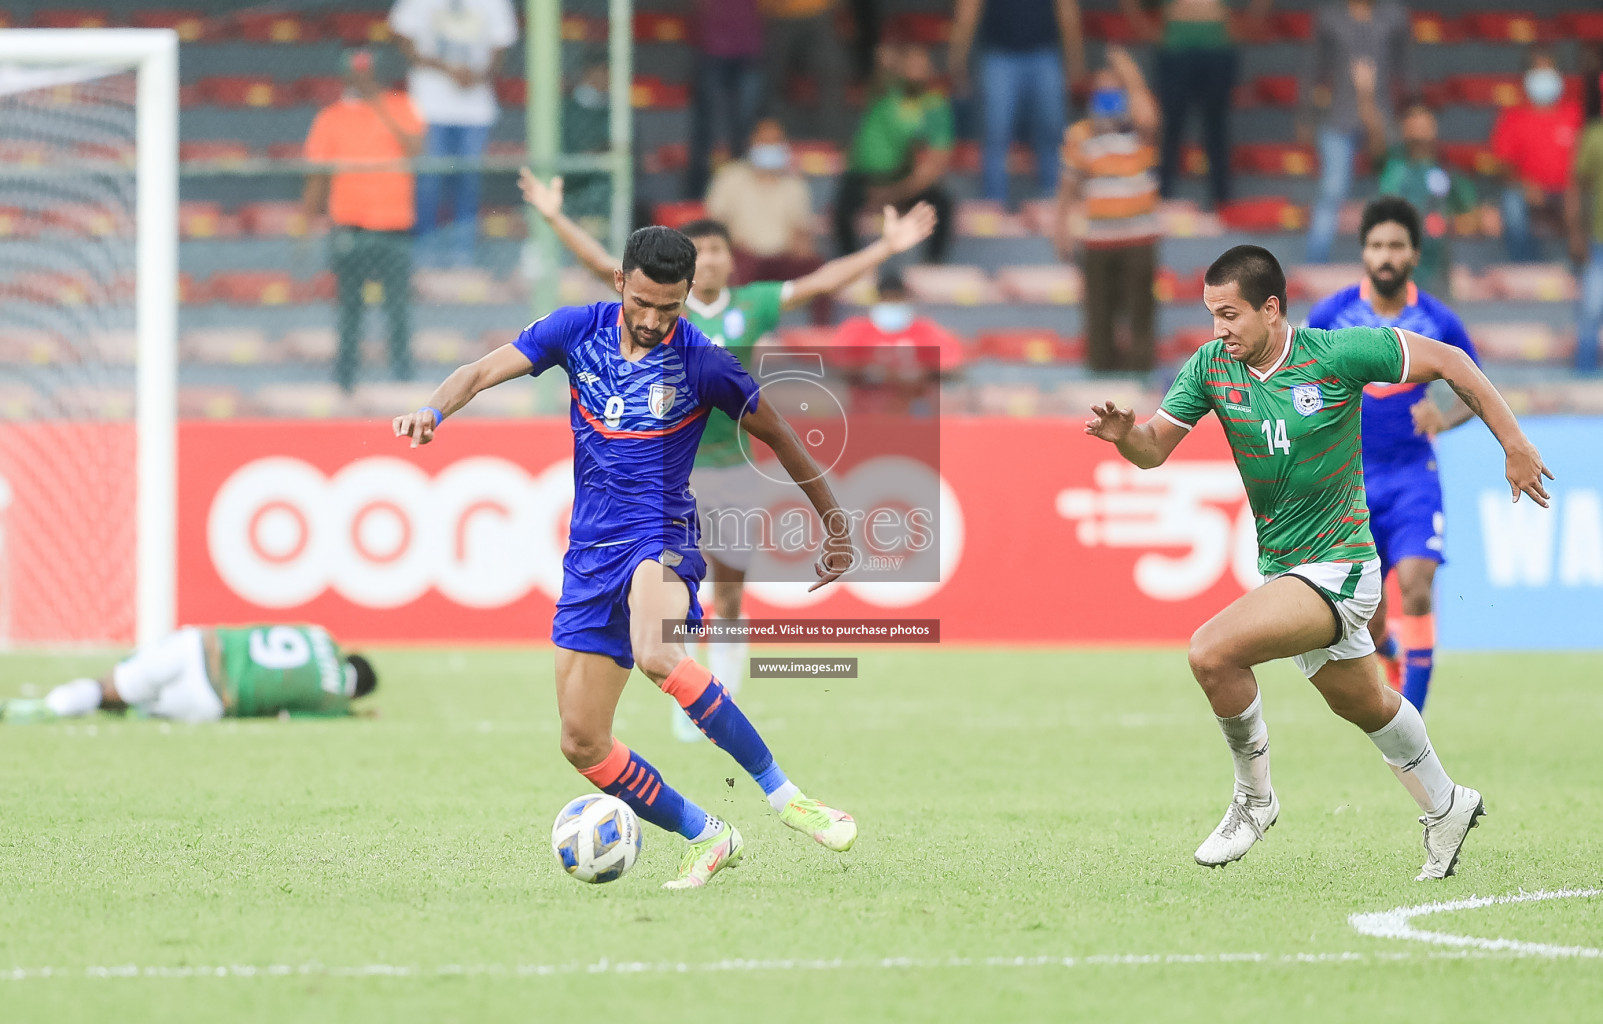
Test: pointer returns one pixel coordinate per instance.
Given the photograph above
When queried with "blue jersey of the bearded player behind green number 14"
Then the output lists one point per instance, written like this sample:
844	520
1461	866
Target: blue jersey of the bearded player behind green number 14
1389	409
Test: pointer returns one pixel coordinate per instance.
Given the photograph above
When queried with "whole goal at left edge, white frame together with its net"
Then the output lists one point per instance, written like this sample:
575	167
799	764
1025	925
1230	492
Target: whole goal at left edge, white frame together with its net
87	336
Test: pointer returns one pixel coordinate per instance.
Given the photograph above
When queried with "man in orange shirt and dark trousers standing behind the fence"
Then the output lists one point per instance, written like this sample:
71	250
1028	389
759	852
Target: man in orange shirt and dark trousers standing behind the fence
371	209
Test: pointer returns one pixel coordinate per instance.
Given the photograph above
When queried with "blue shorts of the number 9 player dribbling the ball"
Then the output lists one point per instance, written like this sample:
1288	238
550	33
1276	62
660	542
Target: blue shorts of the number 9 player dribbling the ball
592	615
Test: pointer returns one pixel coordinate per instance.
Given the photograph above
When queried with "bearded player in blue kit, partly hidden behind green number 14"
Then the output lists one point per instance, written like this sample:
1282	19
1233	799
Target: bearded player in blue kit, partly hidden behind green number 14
1399	424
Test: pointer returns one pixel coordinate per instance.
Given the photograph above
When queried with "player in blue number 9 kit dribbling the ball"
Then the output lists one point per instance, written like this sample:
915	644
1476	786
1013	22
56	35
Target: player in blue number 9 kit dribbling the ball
644	382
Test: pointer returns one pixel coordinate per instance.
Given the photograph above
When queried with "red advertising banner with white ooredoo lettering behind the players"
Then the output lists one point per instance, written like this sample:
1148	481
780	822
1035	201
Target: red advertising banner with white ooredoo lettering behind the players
1046	534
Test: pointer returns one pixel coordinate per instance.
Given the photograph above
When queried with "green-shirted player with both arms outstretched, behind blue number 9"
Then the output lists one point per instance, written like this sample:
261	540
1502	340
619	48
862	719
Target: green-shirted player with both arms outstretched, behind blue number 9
735	320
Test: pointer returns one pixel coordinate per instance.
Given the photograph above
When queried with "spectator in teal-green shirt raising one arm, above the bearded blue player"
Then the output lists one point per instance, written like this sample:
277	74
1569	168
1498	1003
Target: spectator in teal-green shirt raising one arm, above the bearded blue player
1413	169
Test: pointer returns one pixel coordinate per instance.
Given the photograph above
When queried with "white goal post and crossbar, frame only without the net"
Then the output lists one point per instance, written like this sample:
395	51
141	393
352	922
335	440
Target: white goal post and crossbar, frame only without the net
153	54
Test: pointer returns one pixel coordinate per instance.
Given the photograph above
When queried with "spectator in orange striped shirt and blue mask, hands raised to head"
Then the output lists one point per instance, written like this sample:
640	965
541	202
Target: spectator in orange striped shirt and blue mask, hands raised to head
1108	187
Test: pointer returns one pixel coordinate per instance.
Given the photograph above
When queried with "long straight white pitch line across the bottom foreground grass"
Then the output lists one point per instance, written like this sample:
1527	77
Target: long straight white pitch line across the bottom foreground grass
668	967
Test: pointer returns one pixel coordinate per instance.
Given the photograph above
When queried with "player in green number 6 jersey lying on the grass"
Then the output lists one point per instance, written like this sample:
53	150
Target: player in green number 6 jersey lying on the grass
220	672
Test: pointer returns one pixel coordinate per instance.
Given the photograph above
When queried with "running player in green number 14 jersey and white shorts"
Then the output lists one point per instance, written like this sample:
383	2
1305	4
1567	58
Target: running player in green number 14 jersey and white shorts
1290	403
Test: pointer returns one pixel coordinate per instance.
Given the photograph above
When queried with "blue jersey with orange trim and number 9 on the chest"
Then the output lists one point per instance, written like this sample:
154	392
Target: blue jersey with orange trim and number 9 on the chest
636	424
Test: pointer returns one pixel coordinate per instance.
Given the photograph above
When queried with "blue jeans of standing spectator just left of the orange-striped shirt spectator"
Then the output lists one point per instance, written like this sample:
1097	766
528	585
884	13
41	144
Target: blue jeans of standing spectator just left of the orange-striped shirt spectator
1012	79
